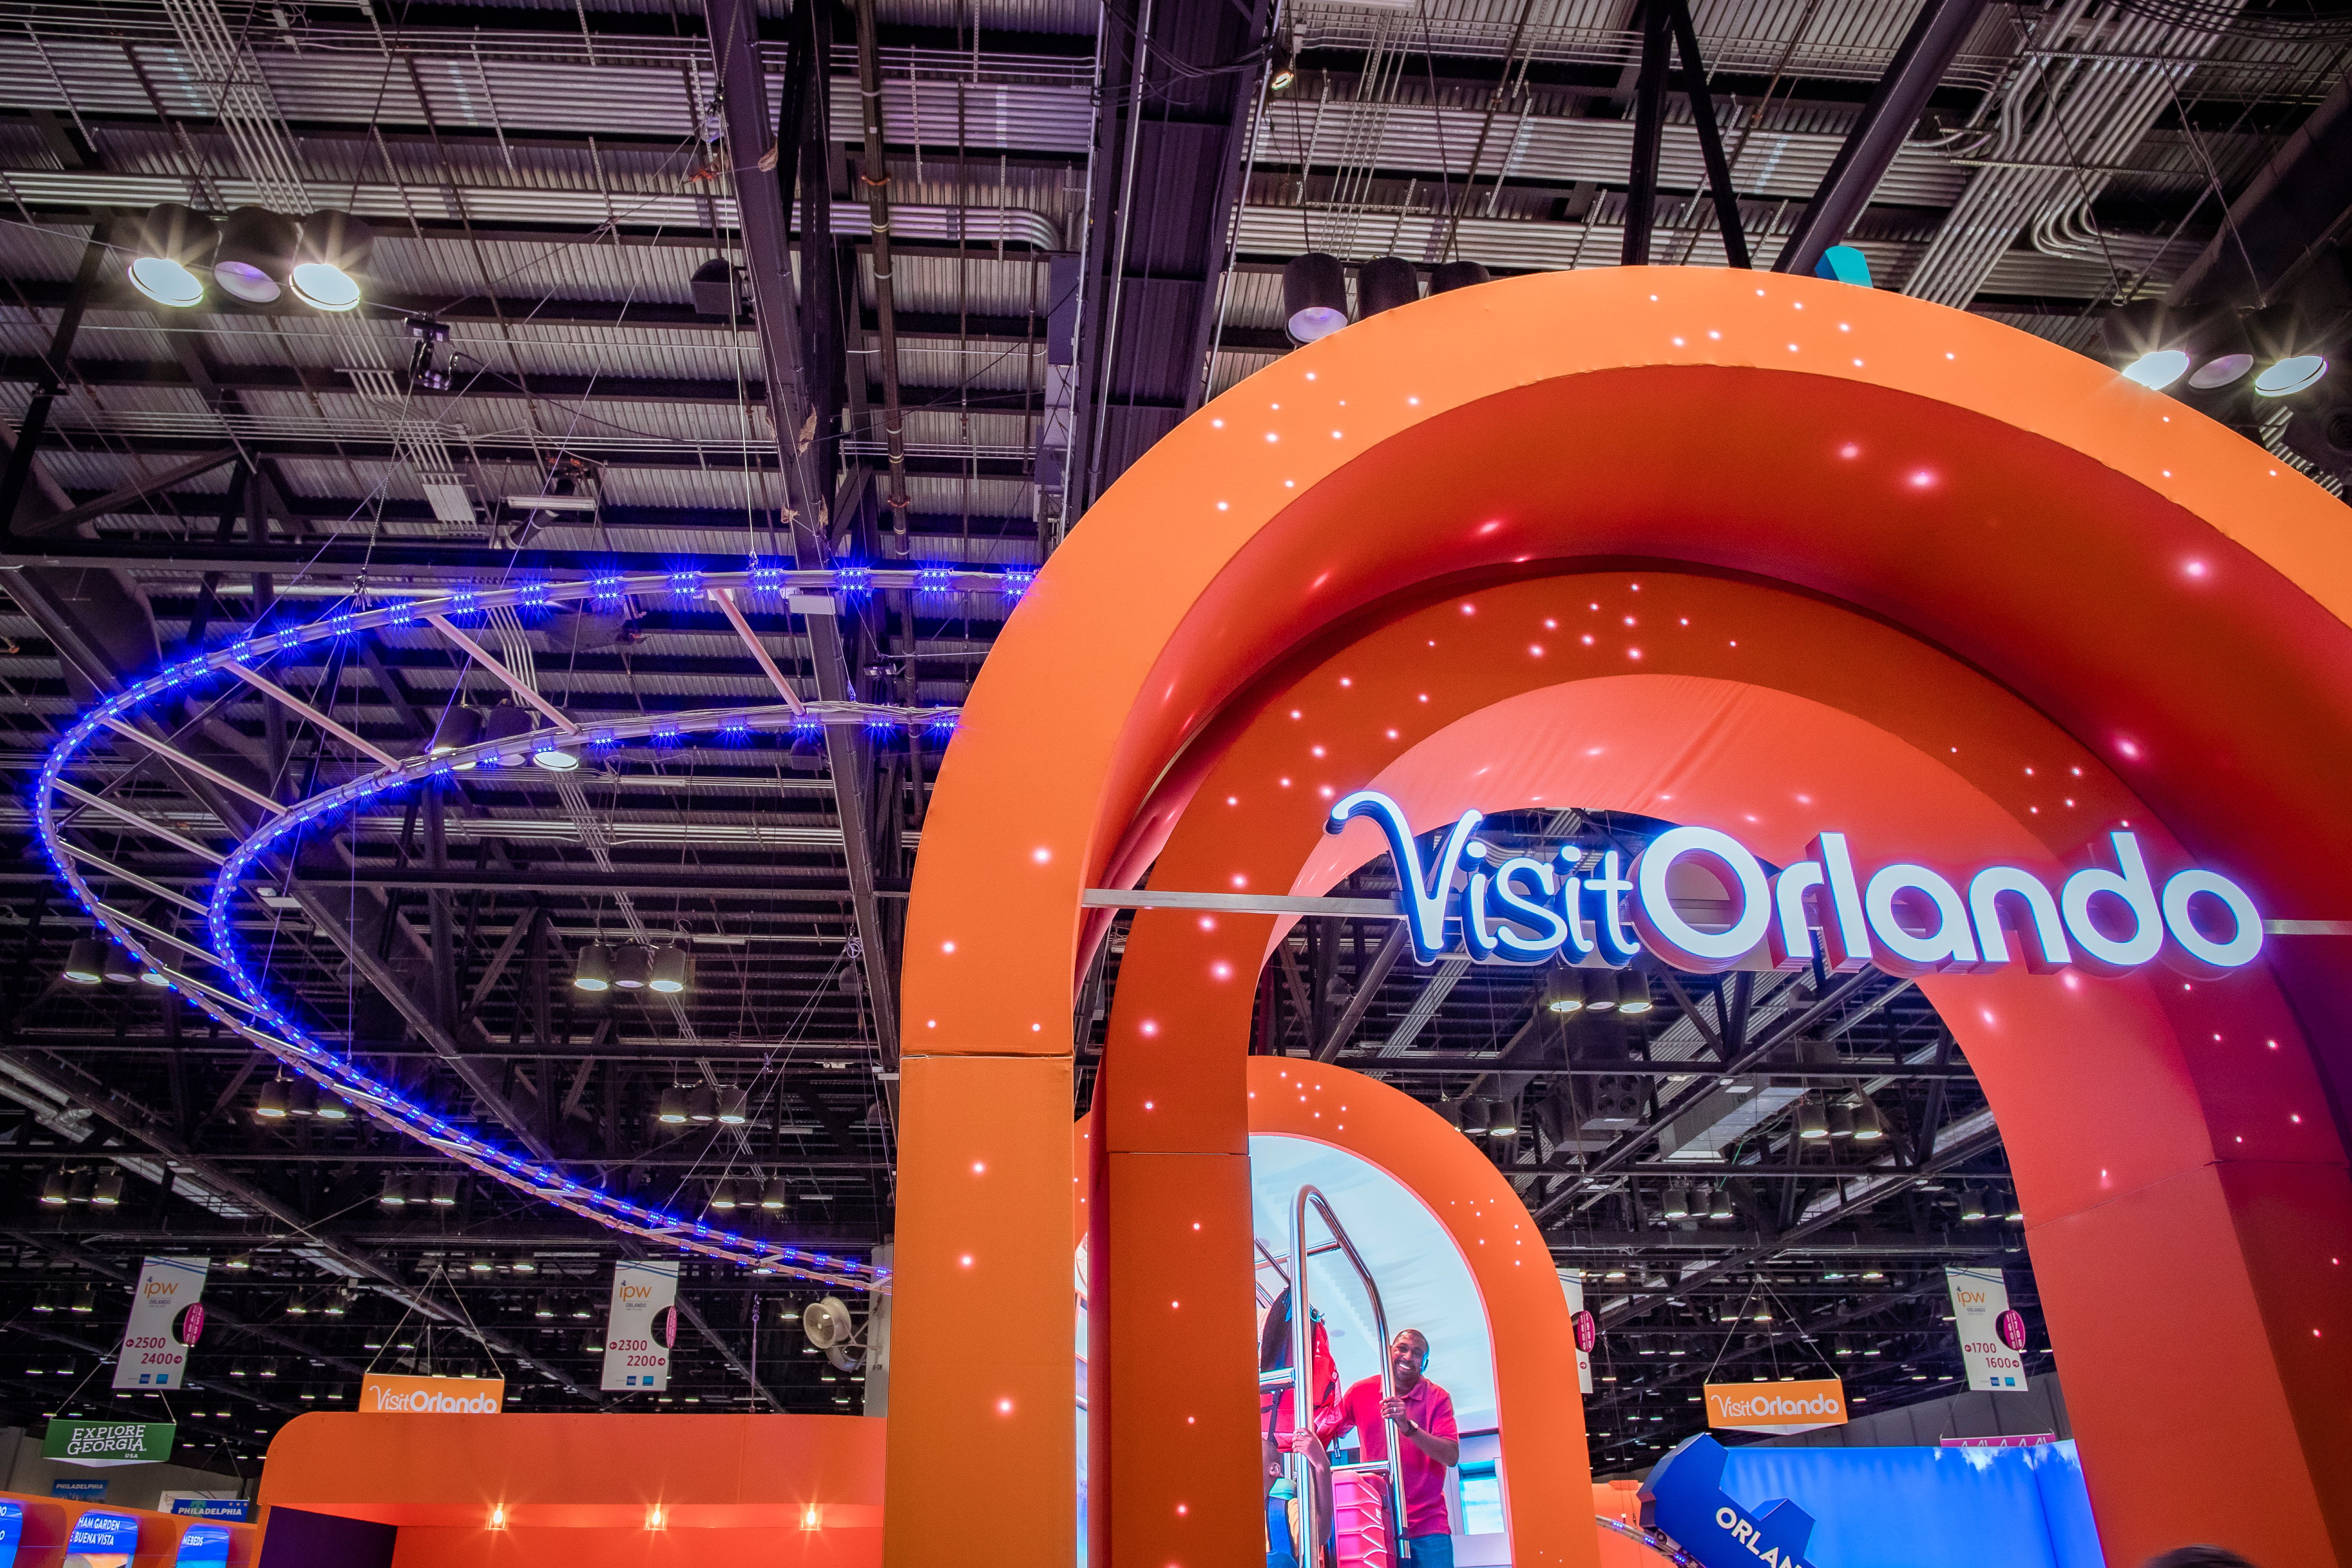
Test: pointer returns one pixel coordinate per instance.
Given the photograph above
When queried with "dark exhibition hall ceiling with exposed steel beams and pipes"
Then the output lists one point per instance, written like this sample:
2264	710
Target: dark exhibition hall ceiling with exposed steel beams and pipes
646	311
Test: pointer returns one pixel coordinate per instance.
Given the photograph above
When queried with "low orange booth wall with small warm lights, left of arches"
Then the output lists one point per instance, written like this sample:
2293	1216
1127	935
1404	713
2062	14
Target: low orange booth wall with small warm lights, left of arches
594	1492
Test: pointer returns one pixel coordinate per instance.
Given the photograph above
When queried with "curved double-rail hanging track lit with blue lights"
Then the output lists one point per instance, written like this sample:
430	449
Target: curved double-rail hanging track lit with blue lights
288	1043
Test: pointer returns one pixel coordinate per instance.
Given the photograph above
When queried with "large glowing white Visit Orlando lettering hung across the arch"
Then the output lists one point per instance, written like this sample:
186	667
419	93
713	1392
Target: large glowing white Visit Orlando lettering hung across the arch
1909	920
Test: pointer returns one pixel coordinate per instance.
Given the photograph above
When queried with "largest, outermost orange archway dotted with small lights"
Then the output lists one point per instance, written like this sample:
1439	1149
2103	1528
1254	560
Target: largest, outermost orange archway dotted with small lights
2151	584
